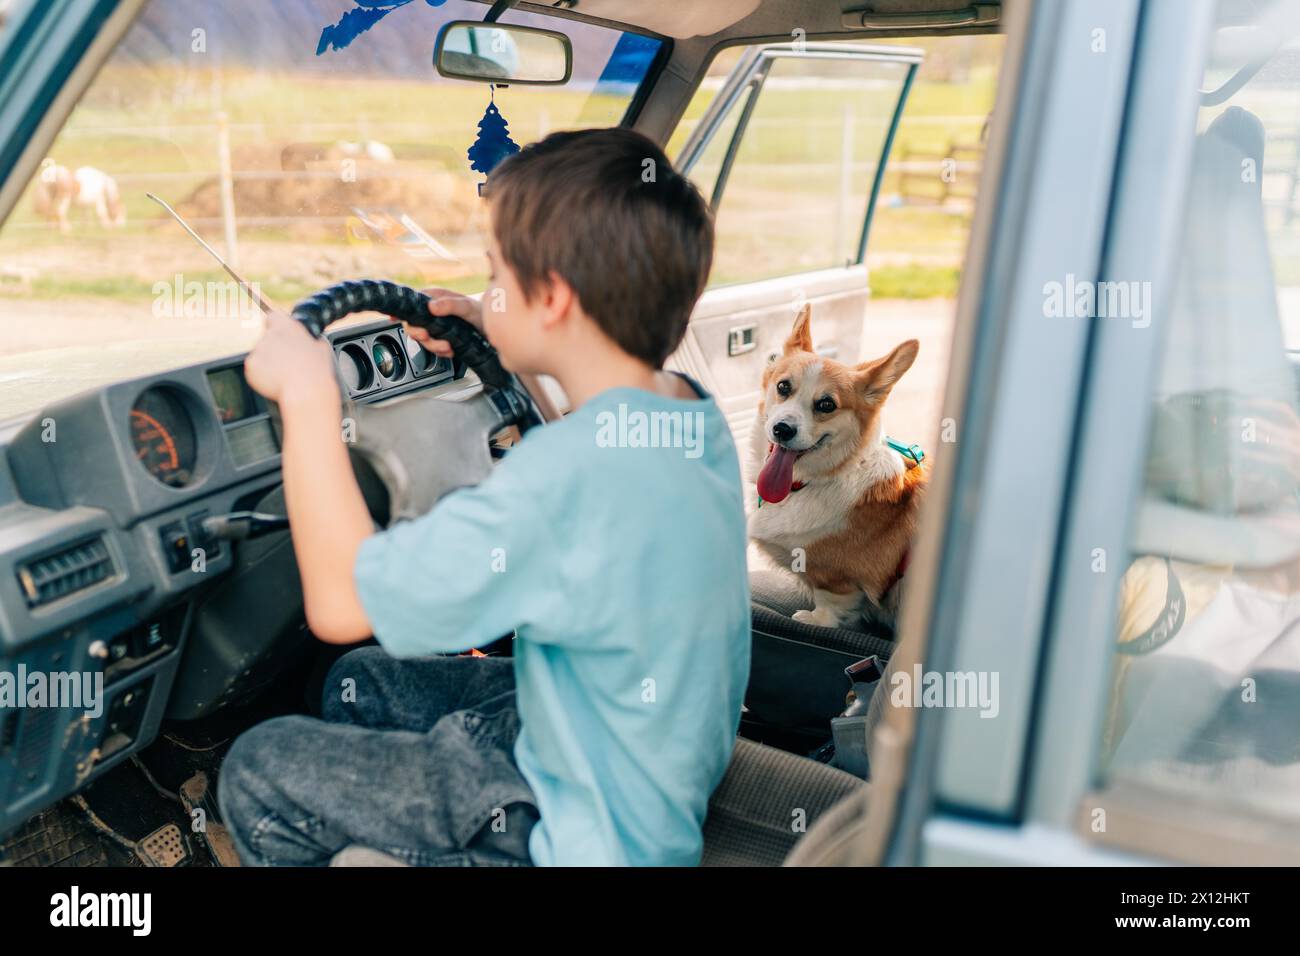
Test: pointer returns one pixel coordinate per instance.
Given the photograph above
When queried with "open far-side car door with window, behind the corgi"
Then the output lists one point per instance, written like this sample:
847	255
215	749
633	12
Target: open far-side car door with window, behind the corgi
791	155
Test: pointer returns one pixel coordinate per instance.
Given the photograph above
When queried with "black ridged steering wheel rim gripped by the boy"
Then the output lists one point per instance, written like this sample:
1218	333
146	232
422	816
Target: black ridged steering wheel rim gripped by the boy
408	305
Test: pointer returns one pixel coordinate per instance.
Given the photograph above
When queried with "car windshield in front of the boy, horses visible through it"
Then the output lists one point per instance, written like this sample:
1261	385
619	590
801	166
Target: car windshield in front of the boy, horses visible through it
307	141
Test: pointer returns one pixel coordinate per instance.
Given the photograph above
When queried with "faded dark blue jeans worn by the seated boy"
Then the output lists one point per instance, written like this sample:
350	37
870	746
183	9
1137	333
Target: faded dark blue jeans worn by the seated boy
413	758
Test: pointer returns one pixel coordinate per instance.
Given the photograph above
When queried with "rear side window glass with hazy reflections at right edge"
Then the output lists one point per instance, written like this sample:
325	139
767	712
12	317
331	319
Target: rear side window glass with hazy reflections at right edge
1206	689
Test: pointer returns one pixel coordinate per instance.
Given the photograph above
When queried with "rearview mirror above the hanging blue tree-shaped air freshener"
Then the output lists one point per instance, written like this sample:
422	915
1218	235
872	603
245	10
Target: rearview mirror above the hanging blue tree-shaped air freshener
502	54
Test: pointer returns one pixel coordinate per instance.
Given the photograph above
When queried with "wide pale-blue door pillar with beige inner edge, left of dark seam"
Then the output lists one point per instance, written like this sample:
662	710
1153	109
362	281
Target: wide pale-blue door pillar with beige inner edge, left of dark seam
987	546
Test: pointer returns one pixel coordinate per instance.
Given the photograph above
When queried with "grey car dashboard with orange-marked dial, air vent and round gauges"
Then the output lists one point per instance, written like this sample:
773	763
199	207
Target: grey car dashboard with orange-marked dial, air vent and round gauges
107	570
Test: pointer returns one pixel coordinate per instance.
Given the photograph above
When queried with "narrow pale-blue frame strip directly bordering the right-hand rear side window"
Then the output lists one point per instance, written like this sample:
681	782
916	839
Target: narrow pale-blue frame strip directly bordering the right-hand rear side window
1143	240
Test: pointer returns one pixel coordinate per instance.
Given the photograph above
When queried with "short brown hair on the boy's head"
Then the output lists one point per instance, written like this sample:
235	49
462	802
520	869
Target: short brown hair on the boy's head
606	211
